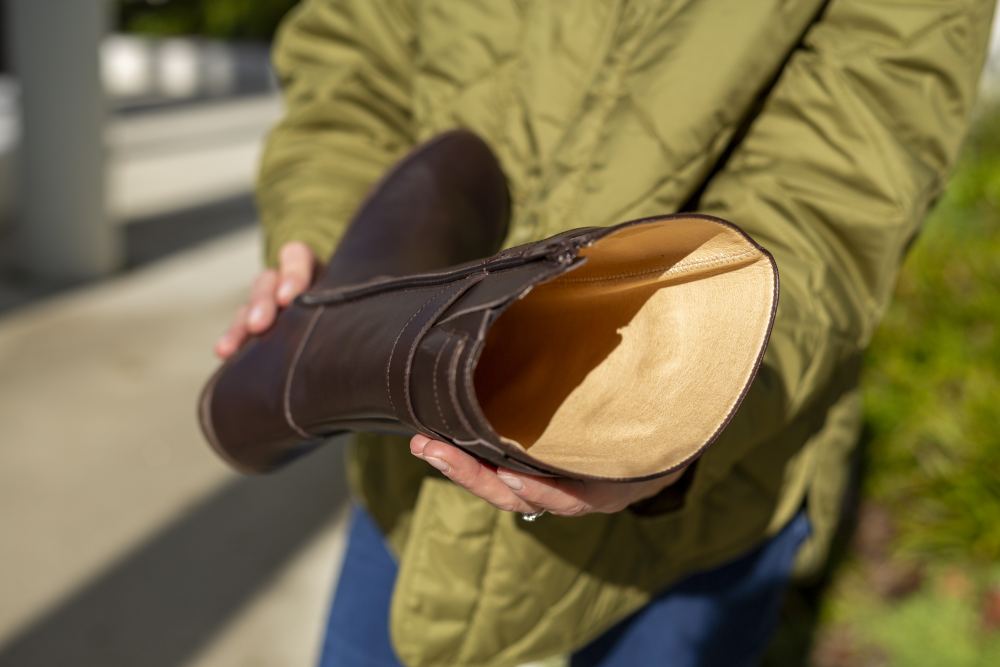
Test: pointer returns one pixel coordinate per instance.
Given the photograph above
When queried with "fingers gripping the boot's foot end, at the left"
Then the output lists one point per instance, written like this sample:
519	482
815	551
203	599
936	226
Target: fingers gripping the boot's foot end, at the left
273	289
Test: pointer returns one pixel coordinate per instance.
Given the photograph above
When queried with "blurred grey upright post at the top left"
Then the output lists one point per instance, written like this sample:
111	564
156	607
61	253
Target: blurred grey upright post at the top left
62	222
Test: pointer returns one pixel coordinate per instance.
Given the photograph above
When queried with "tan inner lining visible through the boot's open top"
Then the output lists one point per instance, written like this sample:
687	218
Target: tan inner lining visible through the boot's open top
627	365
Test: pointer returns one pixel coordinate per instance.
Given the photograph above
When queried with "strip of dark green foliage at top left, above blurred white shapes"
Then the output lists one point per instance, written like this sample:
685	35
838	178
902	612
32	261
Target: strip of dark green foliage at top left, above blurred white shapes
223	19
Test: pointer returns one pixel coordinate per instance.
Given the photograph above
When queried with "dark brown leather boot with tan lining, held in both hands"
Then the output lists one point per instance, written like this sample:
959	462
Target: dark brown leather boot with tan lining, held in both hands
600	353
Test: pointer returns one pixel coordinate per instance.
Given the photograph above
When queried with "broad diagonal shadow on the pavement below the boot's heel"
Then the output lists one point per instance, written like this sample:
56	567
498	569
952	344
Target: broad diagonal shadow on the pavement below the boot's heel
161	603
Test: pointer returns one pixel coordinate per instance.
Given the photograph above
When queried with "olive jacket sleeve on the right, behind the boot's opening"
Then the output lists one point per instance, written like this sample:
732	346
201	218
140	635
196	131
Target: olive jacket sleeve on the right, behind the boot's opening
851	147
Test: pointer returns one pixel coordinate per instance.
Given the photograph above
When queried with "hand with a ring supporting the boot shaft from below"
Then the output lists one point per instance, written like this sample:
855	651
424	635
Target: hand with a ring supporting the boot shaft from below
527	494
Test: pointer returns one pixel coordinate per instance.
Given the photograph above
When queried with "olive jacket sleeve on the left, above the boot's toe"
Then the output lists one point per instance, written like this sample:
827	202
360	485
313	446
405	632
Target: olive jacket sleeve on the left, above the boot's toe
345	67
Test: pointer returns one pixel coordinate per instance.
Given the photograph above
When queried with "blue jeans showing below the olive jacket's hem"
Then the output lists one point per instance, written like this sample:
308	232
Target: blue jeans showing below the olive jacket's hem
723	616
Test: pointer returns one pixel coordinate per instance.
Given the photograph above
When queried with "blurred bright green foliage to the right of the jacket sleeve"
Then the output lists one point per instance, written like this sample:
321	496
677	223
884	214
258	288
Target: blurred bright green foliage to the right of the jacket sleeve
932	385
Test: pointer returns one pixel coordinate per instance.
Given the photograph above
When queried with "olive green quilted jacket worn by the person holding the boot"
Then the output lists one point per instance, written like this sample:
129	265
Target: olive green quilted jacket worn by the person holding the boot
825	129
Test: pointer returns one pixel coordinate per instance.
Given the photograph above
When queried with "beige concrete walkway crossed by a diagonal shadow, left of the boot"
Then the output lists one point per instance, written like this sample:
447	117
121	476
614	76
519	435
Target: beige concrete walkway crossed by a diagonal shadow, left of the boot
125	541
